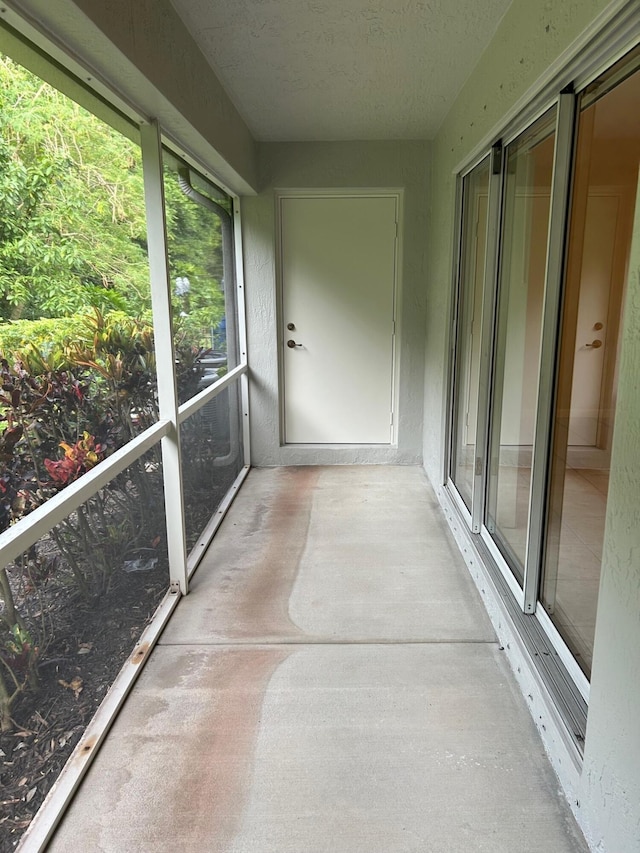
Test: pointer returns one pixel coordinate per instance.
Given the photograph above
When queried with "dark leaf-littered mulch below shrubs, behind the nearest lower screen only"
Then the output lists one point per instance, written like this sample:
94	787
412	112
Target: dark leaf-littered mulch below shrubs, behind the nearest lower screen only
91	642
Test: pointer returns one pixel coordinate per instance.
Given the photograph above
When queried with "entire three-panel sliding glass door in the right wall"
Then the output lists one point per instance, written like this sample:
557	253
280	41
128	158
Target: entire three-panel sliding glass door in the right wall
542	285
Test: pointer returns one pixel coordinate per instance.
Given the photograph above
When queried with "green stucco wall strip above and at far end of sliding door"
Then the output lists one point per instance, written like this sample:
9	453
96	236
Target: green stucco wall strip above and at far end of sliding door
531	36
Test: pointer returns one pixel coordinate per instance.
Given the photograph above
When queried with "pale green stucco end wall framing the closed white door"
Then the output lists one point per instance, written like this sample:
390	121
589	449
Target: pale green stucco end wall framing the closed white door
334	165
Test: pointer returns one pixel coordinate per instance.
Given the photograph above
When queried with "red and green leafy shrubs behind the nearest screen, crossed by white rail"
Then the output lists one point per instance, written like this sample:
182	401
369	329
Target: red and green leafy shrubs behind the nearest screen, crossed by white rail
59	422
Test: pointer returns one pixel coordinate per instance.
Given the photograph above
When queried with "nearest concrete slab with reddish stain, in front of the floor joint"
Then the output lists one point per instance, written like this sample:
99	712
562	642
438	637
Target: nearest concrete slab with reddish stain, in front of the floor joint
423	748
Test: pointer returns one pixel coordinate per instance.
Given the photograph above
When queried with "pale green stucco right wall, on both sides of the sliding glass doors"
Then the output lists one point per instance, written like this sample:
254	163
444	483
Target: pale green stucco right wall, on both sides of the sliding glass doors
530	38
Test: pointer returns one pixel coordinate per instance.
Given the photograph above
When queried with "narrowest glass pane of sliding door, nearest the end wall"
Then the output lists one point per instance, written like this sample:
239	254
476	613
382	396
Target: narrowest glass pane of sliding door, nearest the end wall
475	192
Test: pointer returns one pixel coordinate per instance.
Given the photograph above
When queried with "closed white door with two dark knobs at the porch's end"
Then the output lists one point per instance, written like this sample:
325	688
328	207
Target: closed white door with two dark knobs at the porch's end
338	293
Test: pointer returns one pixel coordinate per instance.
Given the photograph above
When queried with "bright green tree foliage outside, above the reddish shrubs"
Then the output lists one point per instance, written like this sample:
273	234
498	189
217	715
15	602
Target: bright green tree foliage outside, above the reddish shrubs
73	220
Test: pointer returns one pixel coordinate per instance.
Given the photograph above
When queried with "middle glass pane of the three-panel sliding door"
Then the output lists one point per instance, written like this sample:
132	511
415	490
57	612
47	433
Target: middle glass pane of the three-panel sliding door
526	206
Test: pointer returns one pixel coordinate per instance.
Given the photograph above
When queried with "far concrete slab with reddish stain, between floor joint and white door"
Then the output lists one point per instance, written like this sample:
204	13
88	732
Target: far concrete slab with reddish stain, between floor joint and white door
342	553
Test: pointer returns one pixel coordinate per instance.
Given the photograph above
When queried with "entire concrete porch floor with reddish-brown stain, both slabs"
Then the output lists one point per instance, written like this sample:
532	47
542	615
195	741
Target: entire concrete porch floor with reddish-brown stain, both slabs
331	685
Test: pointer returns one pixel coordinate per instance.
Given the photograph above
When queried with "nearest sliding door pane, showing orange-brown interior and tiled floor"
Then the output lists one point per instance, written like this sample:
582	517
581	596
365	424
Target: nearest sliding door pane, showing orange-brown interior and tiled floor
603	217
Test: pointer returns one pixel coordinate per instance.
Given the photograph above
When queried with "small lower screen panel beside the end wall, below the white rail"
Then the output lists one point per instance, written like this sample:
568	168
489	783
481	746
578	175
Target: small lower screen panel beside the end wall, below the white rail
213	456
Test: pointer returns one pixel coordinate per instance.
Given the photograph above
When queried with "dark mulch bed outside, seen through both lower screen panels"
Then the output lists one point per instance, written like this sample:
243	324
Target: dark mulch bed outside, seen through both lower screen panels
88	643
